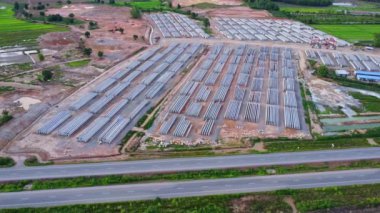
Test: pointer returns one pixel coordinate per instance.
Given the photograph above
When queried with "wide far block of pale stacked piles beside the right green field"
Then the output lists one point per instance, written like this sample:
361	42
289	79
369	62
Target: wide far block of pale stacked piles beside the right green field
269	30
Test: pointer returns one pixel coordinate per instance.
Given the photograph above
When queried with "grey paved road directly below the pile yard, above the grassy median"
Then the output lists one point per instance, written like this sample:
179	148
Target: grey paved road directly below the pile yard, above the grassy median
185	164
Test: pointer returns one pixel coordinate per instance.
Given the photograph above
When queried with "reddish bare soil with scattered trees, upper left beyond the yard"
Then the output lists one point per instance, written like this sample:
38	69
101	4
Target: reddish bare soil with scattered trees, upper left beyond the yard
115	45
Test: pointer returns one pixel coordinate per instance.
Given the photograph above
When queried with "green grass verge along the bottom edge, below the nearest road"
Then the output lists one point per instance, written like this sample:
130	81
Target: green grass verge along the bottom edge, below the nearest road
327	198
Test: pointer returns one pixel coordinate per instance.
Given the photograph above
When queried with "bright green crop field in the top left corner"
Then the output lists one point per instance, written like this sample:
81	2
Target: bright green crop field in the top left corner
14	31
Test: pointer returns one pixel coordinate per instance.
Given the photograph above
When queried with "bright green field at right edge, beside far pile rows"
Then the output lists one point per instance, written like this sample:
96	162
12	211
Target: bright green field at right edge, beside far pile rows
351	33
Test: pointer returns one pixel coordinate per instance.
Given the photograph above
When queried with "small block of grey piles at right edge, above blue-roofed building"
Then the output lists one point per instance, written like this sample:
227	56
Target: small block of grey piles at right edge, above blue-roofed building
347	61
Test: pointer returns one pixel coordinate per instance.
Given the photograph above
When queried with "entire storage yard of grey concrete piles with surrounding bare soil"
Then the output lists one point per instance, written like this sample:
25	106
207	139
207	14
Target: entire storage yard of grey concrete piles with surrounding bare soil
245	80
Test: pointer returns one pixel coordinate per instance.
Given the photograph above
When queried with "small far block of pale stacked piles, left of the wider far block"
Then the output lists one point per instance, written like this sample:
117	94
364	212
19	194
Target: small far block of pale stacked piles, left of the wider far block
174	25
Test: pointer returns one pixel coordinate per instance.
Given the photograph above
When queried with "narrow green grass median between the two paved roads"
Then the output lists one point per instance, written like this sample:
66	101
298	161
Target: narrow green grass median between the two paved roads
190	175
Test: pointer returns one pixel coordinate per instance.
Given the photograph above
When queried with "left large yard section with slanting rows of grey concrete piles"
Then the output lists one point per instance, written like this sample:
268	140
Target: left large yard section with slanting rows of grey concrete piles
136	91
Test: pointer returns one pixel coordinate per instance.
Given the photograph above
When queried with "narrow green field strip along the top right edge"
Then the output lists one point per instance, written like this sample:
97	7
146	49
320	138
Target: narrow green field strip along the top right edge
361	6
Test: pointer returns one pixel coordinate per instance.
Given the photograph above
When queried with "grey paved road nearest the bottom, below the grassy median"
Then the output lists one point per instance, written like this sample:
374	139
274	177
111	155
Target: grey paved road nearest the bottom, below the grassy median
186	188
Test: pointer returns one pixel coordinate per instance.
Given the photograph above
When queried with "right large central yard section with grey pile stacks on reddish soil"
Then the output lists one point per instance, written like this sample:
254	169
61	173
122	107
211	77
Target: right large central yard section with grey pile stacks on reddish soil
236	92
